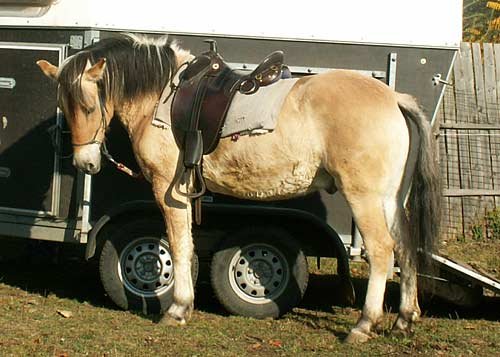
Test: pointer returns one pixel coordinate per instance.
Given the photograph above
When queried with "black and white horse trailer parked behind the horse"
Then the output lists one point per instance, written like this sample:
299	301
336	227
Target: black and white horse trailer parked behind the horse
43	197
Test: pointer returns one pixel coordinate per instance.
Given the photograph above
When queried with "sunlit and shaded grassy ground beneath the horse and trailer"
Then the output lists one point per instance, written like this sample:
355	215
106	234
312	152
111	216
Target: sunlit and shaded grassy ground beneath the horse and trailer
32	293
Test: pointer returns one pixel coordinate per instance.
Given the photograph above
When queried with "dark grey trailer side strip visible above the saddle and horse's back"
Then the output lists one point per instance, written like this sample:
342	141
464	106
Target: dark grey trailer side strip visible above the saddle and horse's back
415	66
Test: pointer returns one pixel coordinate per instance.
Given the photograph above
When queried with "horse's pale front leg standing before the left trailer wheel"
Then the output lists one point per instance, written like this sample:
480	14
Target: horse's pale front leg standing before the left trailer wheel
176	210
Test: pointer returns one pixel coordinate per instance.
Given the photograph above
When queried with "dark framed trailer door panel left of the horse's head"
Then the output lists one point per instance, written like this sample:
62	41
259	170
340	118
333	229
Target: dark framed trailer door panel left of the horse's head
27	111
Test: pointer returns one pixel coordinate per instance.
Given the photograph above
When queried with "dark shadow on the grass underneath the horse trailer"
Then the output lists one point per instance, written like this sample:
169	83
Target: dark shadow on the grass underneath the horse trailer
46	268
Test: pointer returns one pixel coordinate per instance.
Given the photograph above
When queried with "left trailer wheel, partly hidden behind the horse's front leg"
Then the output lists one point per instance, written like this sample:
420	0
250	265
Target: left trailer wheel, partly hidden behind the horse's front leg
136	267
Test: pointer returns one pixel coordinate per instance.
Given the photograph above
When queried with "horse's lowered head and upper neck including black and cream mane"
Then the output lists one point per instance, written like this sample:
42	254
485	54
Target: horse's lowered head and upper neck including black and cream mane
113	74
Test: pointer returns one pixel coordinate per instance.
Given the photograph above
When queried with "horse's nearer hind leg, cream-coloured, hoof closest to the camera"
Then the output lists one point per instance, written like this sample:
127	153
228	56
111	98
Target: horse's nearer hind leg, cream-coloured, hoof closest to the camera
370	218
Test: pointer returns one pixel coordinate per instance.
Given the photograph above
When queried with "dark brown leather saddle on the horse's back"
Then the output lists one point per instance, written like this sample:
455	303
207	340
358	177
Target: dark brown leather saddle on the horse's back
203	96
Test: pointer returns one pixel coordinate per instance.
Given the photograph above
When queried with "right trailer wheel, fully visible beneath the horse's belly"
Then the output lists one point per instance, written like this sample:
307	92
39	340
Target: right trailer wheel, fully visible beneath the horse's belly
259	272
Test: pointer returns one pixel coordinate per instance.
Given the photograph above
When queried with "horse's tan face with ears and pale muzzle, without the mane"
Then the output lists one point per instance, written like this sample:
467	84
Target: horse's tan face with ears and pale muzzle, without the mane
87	114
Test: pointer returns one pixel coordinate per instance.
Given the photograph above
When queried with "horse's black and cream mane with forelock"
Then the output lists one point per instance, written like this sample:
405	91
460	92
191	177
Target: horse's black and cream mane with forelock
135	66
